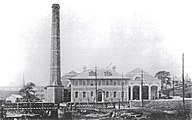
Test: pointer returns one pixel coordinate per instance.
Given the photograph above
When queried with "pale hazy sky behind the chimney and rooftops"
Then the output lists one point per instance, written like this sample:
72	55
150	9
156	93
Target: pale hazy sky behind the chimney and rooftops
150	34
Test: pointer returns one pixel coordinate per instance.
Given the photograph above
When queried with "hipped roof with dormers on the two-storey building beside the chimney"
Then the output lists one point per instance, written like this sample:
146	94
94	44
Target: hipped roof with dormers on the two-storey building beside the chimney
100	74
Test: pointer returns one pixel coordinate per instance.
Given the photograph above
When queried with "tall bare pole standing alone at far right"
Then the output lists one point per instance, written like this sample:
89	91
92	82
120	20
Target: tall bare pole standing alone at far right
183	79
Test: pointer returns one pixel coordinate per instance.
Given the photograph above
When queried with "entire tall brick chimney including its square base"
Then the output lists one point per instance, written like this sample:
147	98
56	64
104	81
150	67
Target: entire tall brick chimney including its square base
54	92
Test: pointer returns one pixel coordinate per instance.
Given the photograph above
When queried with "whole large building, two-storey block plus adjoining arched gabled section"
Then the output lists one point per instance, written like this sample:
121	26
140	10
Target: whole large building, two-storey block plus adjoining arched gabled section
112	86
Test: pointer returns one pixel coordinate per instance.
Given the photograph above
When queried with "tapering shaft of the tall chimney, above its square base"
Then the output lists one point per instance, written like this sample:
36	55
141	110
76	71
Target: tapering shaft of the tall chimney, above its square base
55	71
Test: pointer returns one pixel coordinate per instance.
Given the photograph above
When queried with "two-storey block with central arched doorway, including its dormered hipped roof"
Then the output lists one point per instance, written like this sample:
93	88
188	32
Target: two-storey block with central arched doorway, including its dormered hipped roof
109	85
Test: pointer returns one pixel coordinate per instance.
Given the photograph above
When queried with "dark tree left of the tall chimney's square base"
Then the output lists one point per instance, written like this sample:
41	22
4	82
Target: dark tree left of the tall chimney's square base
27	91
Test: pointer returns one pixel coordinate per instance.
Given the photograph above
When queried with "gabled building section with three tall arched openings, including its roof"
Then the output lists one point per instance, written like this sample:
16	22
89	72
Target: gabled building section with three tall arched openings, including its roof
141	79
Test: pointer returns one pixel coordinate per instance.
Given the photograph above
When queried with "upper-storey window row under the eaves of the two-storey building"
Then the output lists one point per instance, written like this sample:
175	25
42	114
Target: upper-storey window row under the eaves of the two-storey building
99	82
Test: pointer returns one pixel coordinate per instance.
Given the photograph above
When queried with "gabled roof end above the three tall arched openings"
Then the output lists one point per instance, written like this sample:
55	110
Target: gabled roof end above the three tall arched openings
138	72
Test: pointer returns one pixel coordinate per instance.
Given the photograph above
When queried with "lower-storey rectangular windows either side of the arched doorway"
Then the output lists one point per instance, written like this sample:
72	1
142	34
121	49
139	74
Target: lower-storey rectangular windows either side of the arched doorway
91	94
